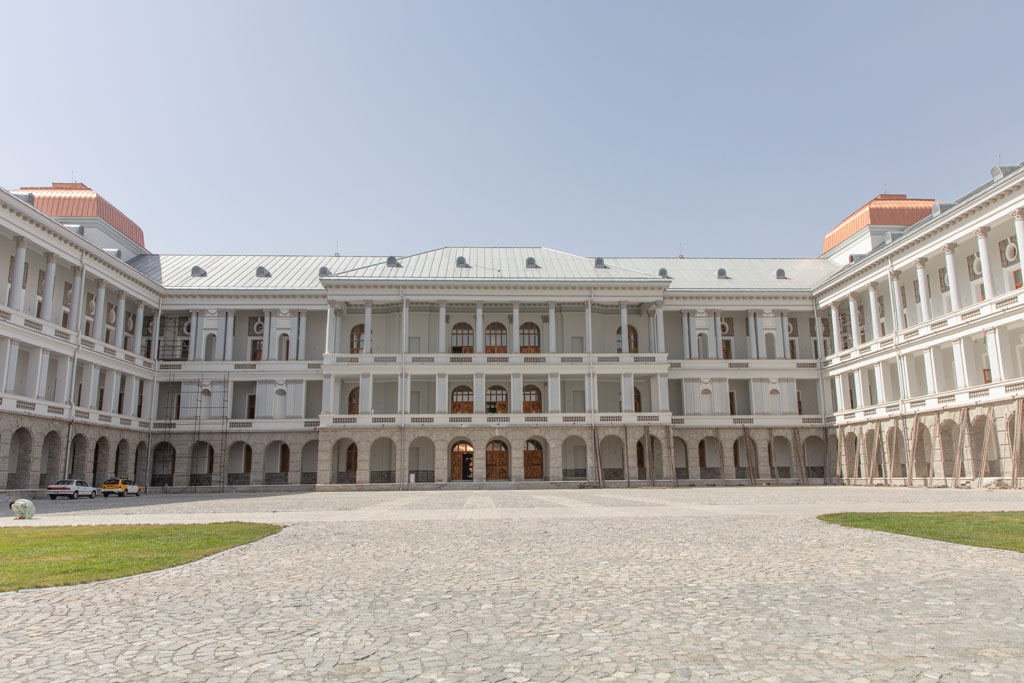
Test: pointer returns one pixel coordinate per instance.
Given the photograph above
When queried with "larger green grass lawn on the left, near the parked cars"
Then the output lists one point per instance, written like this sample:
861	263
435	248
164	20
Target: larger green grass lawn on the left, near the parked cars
64	556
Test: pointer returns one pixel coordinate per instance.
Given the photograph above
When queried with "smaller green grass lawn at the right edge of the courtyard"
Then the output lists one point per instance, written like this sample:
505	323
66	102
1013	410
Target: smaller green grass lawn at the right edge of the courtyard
988	530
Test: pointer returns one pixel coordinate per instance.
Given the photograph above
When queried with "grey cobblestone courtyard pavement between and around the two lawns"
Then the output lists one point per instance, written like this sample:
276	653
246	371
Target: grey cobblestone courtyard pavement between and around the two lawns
726	584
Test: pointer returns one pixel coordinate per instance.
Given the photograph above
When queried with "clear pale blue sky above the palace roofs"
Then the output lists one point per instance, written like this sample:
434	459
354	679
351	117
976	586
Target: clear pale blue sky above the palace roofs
601	129
